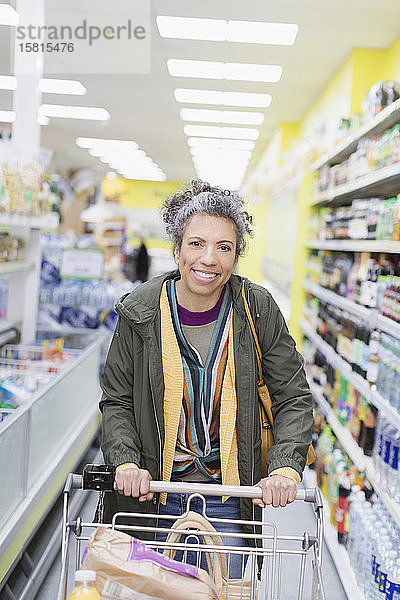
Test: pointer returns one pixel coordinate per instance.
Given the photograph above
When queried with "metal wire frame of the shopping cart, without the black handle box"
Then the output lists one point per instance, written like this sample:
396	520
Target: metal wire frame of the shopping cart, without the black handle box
275	548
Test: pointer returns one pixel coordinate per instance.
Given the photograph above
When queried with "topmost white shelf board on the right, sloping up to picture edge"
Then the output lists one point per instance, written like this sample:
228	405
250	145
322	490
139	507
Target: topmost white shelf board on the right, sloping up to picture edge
388	117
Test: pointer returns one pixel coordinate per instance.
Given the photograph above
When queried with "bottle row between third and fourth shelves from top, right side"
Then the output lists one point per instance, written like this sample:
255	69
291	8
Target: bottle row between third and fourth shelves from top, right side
371	280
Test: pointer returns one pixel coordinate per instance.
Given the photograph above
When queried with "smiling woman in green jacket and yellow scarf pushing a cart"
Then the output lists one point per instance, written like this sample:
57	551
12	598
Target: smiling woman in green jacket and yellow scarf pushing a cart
180	382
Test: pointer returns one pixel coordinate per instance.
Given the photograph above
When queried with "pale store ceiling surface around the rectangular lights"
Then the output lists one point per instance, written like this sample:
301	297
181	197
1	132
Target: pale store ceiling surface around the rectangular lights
143	107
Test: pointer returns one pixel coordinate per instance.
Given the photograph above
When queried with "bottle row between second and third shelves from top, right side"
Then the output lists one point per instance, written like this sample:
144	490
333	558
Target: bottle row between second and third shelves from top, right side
364	219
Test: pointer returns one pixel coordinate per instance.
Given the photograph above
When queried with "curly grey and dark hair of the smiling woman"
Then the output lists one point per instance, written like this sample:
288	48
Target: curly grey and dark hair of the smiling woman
200	197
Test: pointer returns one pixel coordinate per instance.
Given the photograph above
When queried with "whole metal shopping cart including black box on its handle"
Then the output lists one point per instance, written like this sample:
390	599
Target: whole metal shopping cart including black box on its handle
275	550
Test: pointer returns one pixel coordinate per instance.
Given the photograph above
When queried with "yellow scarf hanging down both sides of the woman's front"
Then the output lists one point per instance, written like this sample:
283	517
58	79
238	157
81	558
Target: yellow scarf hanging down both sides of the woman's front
173	394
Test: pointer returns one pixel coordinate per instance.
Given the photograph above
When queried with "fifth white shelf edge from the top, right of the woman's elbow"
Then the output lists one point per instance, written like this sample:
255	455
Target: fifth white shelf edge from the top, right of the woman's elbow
360	384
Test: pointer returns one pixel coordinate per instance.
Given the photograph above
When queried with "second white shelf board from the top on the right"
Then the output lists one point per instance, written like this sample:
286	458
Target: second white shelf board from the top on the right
385	181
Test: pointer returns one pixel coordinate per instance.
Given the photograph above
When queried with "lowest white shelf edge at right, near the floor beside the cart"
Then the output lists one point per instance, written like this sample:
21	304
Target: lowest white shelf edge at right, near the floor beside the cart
337	551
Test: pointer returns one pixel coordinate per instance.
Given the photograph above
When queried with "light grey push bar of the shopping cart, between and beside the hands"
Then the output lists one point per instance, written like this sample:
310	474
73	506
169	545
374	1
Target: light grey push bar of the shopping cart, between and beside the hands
183	487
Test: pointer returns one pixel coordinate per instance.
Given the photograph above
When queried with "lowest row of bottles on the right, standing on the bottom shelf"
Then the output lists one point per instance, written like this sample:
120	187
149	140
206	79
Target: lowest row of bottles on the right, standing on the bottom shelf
362	522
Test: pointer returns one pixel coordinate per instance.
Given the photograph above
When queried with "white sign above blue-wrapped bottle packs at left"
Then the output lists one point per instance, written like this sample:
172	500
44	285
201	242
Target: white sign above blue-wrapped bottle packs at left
82	263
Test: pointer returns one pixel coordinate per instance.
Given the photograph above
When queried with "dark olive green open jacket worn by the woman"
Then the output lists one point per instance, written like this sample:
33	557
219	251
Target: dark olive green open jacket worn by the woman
133	389
